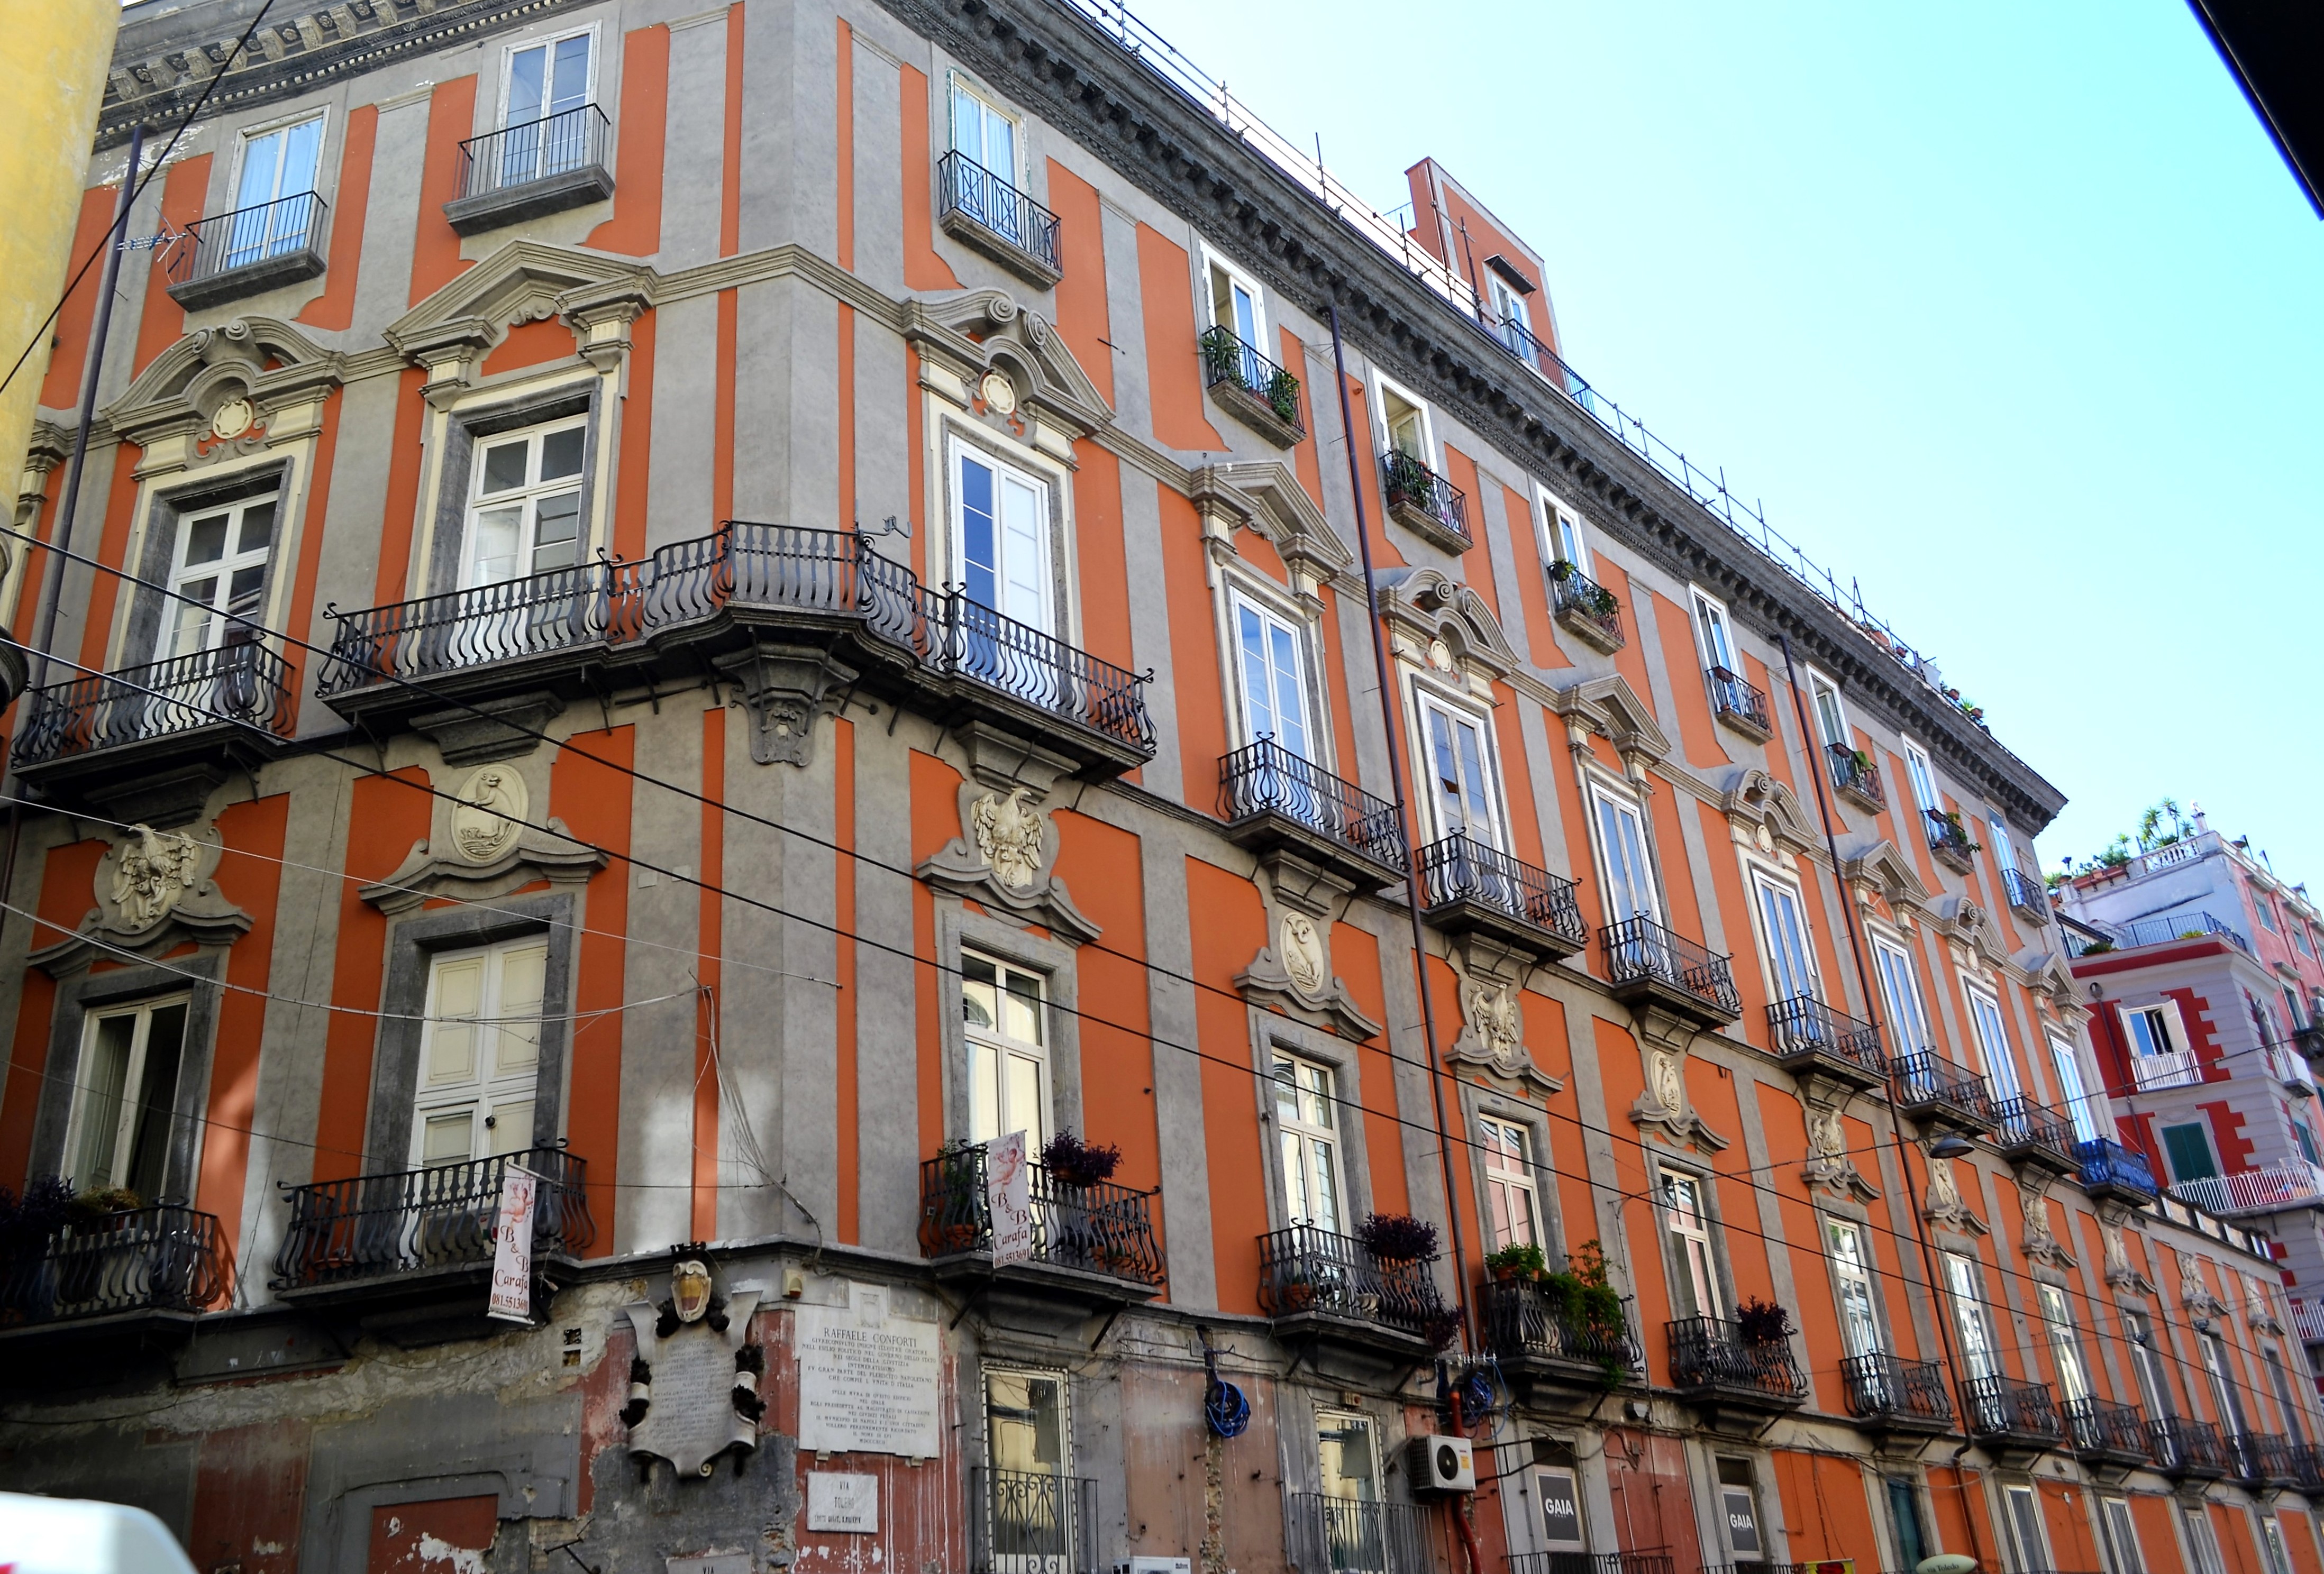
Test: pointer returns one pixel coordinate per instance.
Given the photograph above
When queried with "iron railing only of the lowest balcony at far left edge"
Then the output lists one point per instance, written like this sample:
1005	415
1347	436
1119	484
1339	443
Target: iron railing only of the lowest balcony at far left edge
152	1259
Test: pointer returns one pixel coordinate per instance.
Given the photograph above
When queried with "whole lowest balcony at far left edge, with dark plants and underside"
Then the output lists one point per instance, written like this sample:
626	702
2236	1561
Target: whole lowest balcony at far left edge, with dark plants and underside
122	1282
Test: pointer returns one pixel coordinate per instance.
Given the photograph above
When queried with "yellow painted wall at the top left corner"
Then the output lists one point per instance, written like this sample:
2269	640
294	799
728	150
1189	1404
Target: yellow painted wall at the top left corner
52	59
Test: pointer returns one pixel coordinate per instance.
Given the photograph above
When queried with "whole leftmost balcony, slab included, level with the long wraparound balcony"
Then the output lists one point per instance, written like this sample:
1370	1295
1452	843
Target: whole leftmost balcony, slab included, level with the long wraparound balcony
145	743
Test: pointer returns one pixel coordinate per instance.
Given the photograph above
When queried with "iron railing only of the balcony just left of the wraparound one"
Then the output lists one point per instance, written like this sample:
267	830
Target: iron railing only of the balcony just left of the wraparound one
229	687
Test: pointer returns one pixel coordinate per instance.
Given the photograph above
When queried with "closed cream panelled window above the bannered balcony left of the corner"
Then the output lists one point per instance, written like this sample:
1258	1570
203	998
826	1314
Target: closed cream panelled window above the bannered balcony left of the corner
480	1052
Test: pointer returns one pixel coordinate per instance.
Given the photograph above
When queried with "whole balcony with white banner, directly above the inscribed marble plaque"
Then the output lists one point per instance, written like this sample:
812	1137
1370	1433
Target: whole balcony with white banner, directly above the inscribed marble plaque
1093	1245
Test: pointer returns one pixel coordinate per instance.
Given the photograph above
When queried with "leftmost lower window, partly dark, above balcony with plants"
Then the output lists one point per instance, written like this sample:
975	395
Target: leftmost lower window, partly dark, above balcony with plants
124	1099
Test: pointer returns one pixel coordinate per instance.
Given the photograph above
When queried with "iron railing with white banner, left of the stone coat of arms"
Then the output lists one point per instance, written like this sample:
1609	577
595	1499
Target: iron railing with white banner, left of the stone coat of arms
378	1226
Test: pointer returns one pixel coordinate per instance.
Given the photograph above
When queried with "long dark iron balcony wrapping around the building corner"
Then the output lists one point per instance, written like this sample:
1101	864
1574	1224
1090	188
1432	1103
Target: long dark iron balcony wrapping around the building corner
582	629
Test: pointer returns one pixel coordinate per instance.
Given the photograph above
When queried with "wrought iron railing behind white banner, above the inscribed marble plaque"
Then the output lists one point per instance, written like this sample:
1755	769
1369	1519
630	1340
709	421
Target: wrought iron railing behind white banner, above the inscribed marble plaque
1098	1229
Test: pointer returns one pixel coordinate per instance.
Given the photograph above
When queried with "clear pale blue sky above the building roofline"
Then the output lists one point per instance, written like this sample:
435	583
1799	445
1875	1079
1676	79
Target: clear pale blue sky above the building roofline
2011	313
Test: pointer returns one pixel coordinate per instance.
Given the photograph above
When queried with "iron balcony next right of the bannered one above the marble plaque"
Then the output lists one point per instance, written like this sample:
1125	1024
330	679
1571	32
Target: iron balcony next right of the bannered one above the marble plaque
1330	1289
